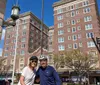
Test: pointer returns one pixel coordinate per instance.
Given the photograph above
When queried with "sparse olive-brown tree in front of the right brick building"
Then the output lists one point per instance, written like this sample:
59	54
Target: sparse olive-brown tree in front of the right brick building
77	61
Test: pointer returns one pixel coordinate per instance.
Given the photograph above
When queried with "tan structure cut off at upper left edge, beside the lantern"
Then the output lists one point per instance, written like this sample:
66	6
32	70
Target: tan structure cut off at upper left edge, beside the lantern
2	11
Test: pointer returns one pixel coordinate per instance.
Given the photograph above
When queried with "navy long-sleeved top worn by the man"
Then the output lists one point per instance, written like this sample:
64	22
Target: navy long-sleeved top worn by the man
48	76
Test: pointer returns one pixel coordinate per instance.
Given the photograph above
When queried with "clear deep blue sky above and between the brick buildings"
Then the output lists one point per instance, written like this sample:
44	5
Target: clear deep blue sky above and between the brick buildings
35	7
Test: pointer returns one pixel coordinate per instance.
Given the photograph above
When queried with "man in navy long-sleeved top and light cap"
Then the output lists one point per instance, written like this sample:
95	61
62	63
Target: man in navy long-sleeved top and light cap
47	74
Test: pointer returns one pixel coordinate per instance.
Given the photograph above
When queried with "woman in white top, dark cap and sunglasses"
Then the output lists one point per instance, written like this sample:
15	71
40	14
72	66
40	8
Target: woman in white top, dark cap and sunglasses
28	73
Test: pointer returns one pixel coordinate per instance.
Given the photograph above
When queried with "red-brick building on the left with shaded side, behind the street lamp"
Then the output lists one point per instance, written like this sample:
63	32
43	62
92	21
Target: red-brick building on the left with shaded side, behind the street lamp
28	42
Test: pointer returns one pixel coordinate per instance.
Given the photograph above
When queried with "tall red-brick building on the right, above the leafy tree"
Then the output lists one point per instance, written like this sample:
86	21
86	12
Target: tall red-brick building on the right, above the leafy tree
74	22
